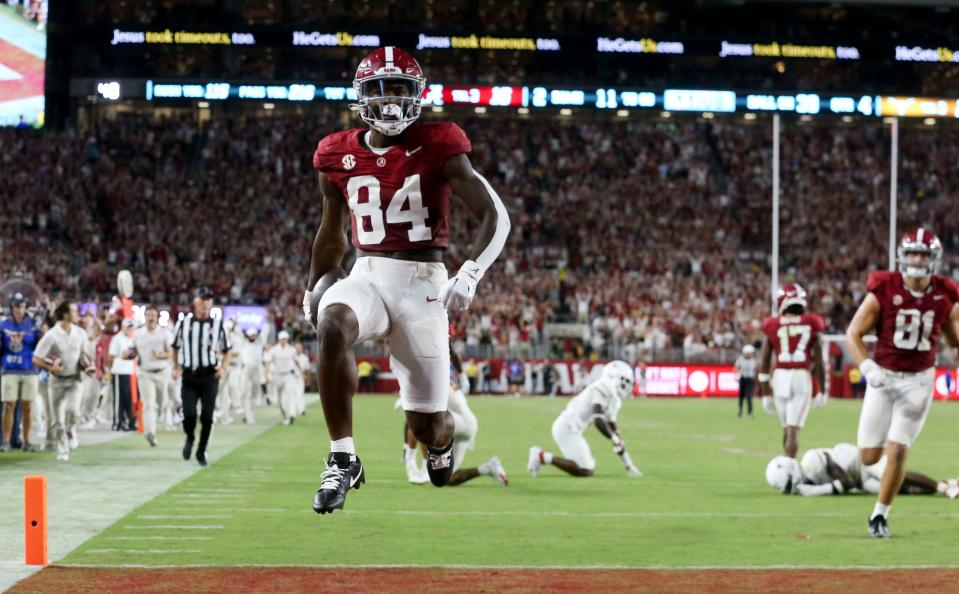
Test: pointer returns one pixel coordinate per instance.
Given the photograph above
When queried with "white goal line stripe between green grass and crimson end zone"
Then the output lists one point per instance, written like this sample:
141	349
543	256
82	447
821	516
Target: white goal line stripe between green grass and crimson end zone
486	567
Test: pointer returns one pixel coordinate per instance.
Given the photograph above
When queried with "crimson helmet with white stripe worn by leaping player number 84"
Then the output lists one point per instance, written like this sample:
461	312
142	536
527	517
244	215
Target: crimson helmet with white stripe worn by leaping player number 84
389	85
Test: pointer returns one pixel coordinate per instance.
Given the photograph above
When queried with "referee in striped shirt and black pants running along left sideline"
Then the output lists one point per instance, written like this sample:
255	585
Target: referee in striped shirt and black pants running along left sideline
201	349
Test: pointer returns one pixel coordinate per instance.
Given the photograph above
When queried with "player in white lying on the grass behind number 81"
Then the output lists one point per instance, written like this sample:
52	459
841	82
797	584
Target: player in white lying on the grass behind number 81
838	470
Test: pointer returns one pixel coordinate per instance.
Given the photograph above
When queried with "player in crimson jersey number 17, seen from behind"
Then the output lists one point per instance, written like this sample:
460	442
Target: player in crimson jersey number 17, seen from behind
793	337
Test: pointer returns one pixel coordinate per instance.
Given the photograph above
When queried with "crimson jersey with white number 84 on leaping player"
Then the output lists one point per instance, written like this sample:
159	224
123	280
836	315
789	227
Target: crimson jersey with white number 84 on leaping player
398	200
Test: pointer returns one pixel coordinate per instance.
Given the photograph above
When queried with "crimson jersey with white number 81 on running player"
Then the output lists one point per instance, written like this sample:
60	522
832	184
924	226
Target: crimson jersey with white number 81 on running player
907	330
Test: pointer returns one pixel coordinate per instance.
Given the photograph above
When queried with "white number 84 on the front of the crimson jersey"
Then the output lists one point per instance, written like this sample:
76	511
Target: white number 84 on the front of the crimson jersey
372	209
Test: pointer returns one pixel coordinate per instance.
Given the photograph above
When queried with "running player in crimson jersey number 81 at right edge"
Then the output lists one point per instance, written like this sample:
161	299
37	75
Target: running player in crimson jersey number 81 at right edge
906	309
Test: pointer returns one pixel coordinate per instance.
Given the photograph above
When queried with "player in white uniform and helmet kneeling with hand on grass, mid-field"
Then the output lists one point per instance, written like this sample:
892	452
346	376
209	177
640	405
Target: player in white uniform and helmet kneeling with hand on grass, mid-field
599	403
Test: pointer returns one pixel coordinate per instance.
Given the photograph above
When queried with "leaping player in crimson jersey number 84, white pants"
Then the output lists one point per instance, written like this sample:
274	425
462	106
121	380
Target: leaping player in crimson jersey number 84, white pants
392	183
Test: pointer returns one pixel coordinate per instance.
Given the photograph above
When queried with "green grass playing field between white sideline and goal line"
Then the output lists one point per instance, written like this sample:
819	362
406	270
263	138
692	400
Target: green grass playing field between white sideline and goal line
703	501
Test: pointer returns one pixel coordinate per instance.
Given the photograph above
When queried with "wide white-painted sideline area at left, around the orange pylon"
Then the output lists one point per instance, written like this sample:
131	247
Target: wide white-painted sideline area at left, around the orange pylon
81	503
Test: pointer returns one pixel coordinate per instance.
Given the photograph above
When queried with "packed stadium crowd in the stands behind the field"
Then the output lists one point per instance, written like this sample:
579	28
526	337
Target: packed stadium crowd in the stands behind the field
654	234
